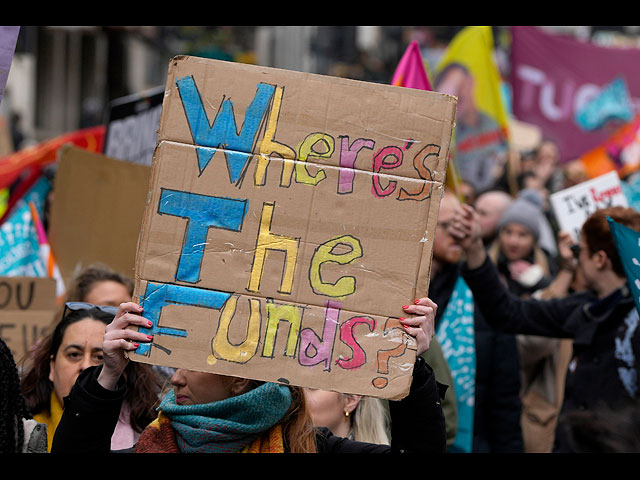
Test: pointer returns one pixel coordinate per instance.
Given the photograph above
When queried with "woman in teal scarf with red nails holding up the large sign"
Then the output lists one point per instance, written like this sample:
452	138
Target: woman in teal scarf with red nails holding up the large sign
208	413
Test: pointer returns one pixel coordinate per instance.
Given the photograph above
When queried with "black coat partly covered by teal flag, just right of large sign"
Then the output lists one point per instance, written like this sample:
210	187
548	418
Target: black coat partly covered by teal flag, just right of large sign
497	407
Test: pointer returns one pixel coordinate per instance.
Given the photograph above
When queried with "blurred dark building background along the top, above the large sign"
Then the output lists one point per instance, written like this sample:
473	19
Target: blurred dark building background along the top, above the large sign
63	78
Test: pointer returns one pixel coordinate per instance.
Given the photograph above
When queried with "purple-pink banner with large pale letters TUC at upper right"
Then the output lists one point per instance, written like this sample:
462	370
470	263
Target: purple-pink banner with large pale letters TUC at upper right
554	77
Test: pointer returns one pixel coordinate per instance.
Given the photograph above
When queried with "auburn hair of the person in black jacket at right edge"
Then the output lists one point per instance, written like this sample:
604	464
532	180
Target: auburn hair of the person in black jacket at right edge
597	234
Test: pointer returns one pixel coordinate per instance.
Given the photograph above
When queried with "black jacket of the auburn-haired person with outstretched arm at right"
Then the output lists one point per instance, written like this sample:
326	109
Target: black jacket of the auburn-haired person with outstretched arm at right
606	342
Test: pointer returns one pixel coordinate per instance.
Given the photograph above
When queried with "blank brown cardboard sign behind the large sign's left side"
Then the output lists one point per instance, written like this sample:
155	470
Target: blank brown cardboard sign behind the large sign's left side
97	211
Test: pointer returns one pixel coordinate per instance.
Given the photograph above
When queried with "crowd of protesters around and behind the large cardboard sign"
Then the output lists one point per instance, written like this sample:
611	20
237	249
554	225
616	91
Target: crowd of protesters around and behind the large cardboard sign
542	321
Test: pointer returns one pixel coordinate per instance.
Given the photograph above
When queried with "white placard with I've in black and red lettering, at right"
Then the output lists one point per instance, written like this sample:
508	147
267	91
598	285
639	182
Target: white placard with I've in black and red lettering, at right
573	205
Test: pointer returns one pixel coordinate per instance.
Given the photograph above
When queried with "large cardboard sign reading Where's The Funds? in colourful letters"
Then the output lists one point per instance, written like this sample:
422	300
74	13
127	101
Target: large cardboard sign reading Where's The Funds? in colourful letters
290	217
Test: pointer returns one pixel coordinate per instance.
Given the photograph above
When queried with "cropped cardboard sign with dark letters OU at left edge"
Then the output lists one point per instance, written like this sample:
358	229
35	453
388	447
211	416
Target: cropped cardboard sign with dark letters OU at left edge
27	309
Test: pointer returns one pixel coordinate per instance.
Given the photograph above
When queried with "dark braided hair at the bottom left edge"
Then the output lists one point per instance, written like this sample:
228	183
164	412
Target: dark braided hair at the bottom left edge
13	408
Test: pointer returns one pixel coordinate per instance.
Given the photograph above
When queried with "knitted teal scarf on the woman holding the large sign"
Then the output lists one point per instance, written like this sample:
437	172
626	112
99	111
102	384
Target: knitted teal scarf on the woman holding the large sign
228	425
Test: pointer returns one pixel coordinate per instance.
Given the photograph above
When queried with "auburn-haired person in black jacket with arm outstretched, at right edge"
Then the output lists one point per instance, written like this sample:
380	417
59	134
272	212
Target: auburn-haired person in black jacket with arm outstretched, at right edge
602	321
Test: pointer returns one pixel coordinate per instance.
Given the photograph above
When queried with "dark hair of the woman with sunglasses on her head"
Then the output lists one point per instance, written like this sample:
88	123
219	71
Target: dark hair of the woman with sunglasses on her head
36	386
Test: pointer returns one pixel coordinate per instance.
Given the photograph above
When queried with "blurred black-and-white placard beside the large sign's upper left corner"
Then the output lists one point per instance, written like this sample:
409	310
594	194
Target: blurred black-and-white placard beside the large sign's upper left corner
133	125
